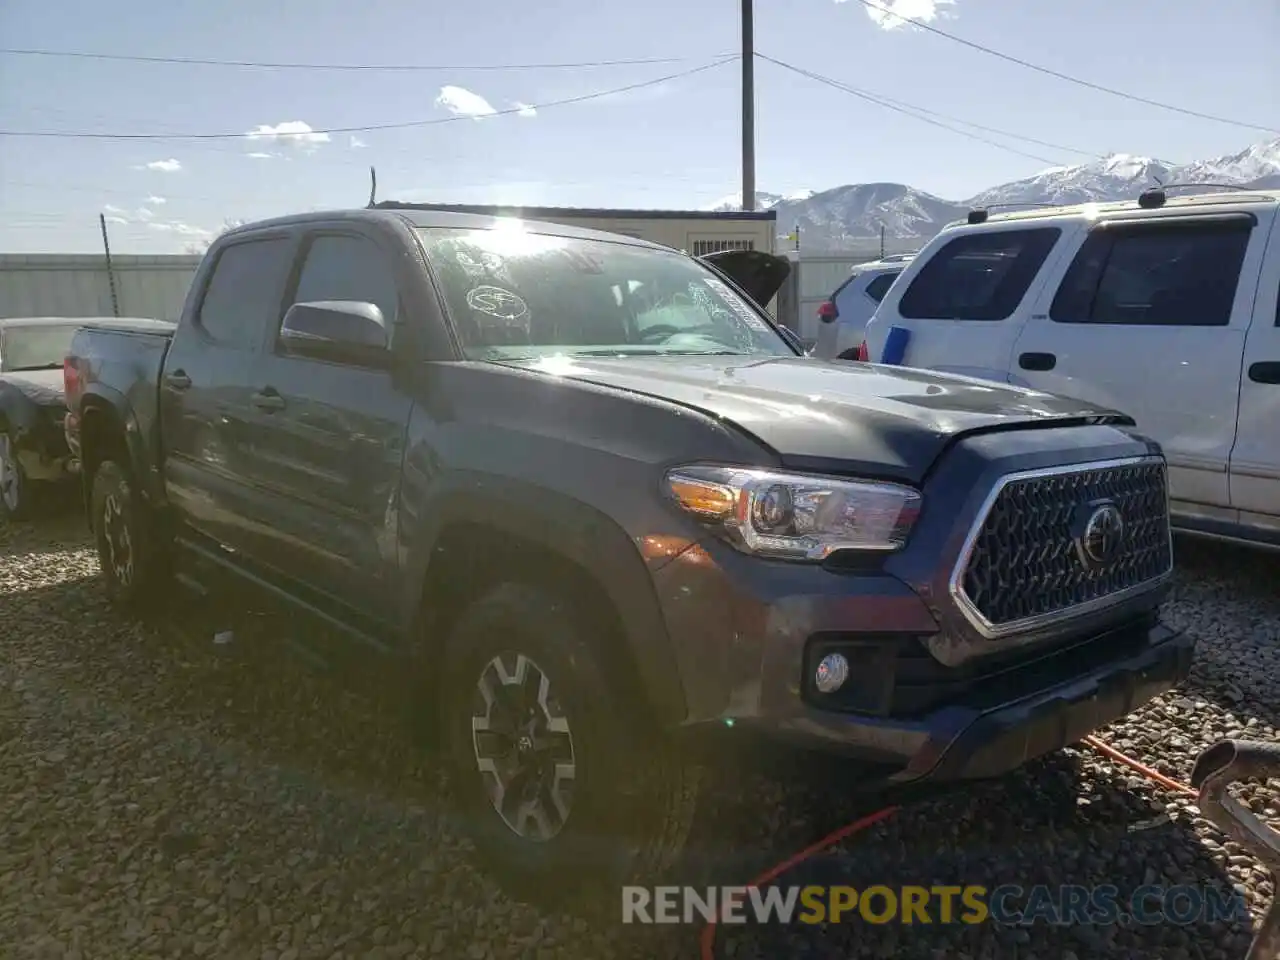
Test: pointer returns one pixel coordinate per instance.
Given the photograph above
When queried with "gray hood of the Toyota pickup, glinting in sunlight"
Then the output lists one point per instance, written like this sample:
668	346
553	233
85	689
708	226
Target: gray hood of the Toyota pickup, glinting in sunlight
885	422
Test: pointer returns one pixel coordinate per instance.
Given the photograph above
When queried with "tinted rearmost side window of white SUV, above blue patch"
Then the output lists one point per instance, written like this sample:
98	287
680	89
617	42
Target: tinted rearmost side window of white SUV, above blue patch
979	276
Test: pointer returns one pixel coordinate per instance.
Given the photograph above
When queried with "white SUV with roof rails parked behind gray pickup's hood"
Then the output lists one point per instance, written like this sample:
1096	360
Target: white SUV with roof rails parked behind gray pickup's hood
1165	309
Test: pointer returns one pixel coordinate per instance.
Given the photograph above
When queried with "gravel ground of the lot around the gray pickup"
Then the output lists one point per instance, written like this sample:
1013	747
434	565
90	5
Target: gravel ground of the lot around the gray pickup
170	797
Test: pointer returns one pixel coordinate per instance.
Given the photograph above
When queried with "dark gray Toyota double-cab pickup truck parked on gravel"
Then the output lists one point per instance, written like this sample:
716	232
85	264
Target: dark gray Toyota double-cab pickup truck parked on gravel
593	502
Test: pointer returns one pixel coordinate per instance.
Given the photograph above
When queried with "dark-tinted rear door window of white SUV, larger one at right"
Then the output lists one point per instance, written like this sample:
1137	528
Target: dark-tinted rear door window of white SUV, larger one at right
1167	275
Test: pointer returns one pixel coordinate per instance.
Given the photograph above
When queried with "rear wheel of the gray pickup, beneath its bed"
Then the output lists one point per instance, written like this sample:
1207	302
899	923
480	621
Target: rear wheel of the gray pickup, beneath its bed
124	533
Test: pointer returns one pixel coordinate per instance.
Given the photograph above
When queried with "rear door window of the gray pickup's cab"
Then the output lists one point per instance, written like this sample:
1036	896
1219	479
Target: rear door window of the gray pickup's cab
244	294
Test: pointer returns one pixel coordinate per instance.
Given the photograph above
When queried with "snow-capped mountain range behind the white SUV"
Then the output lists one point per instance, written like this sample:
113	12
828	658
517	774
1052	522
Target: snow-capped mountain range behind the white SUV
853	217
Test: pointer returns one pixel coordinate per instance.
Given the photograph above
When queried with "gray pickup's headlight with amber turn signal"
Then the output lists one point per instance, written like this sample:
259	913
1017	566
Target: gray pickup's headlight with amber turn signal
793	516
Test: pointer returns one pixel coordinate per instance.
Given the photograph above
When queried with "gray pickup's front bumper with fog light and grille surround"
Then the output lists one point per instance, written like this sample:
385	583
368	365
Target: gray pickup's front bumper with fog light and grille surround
930	698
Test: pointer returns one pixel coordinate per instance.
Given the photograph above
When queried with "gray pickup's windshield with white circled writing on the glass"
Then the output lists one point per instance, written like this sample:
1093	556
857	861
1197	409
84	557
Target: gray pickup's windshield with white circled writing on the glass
515	295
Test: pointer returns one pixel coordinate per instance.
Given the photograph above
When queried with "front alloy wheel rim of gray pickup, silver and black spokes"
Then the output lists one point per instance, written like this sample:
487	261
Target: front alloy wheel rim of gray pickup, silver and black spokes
524	748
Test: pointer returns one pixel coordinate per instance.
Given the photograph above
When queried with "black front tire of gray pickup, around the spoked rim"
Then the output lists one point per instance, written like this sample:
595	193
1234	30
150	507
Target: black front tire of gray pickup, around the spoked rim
632	797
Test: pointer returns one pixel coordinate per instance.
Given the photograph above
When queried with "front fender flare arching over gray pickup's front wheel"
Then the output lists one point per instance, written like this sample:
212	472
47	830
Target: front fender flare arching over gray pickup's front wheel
579	533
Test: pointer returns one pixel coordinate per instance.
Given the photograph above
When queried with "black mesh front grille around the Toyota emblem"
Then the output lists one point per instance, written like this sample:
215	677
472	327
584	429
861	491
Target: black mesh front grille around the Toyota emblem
1027	561
